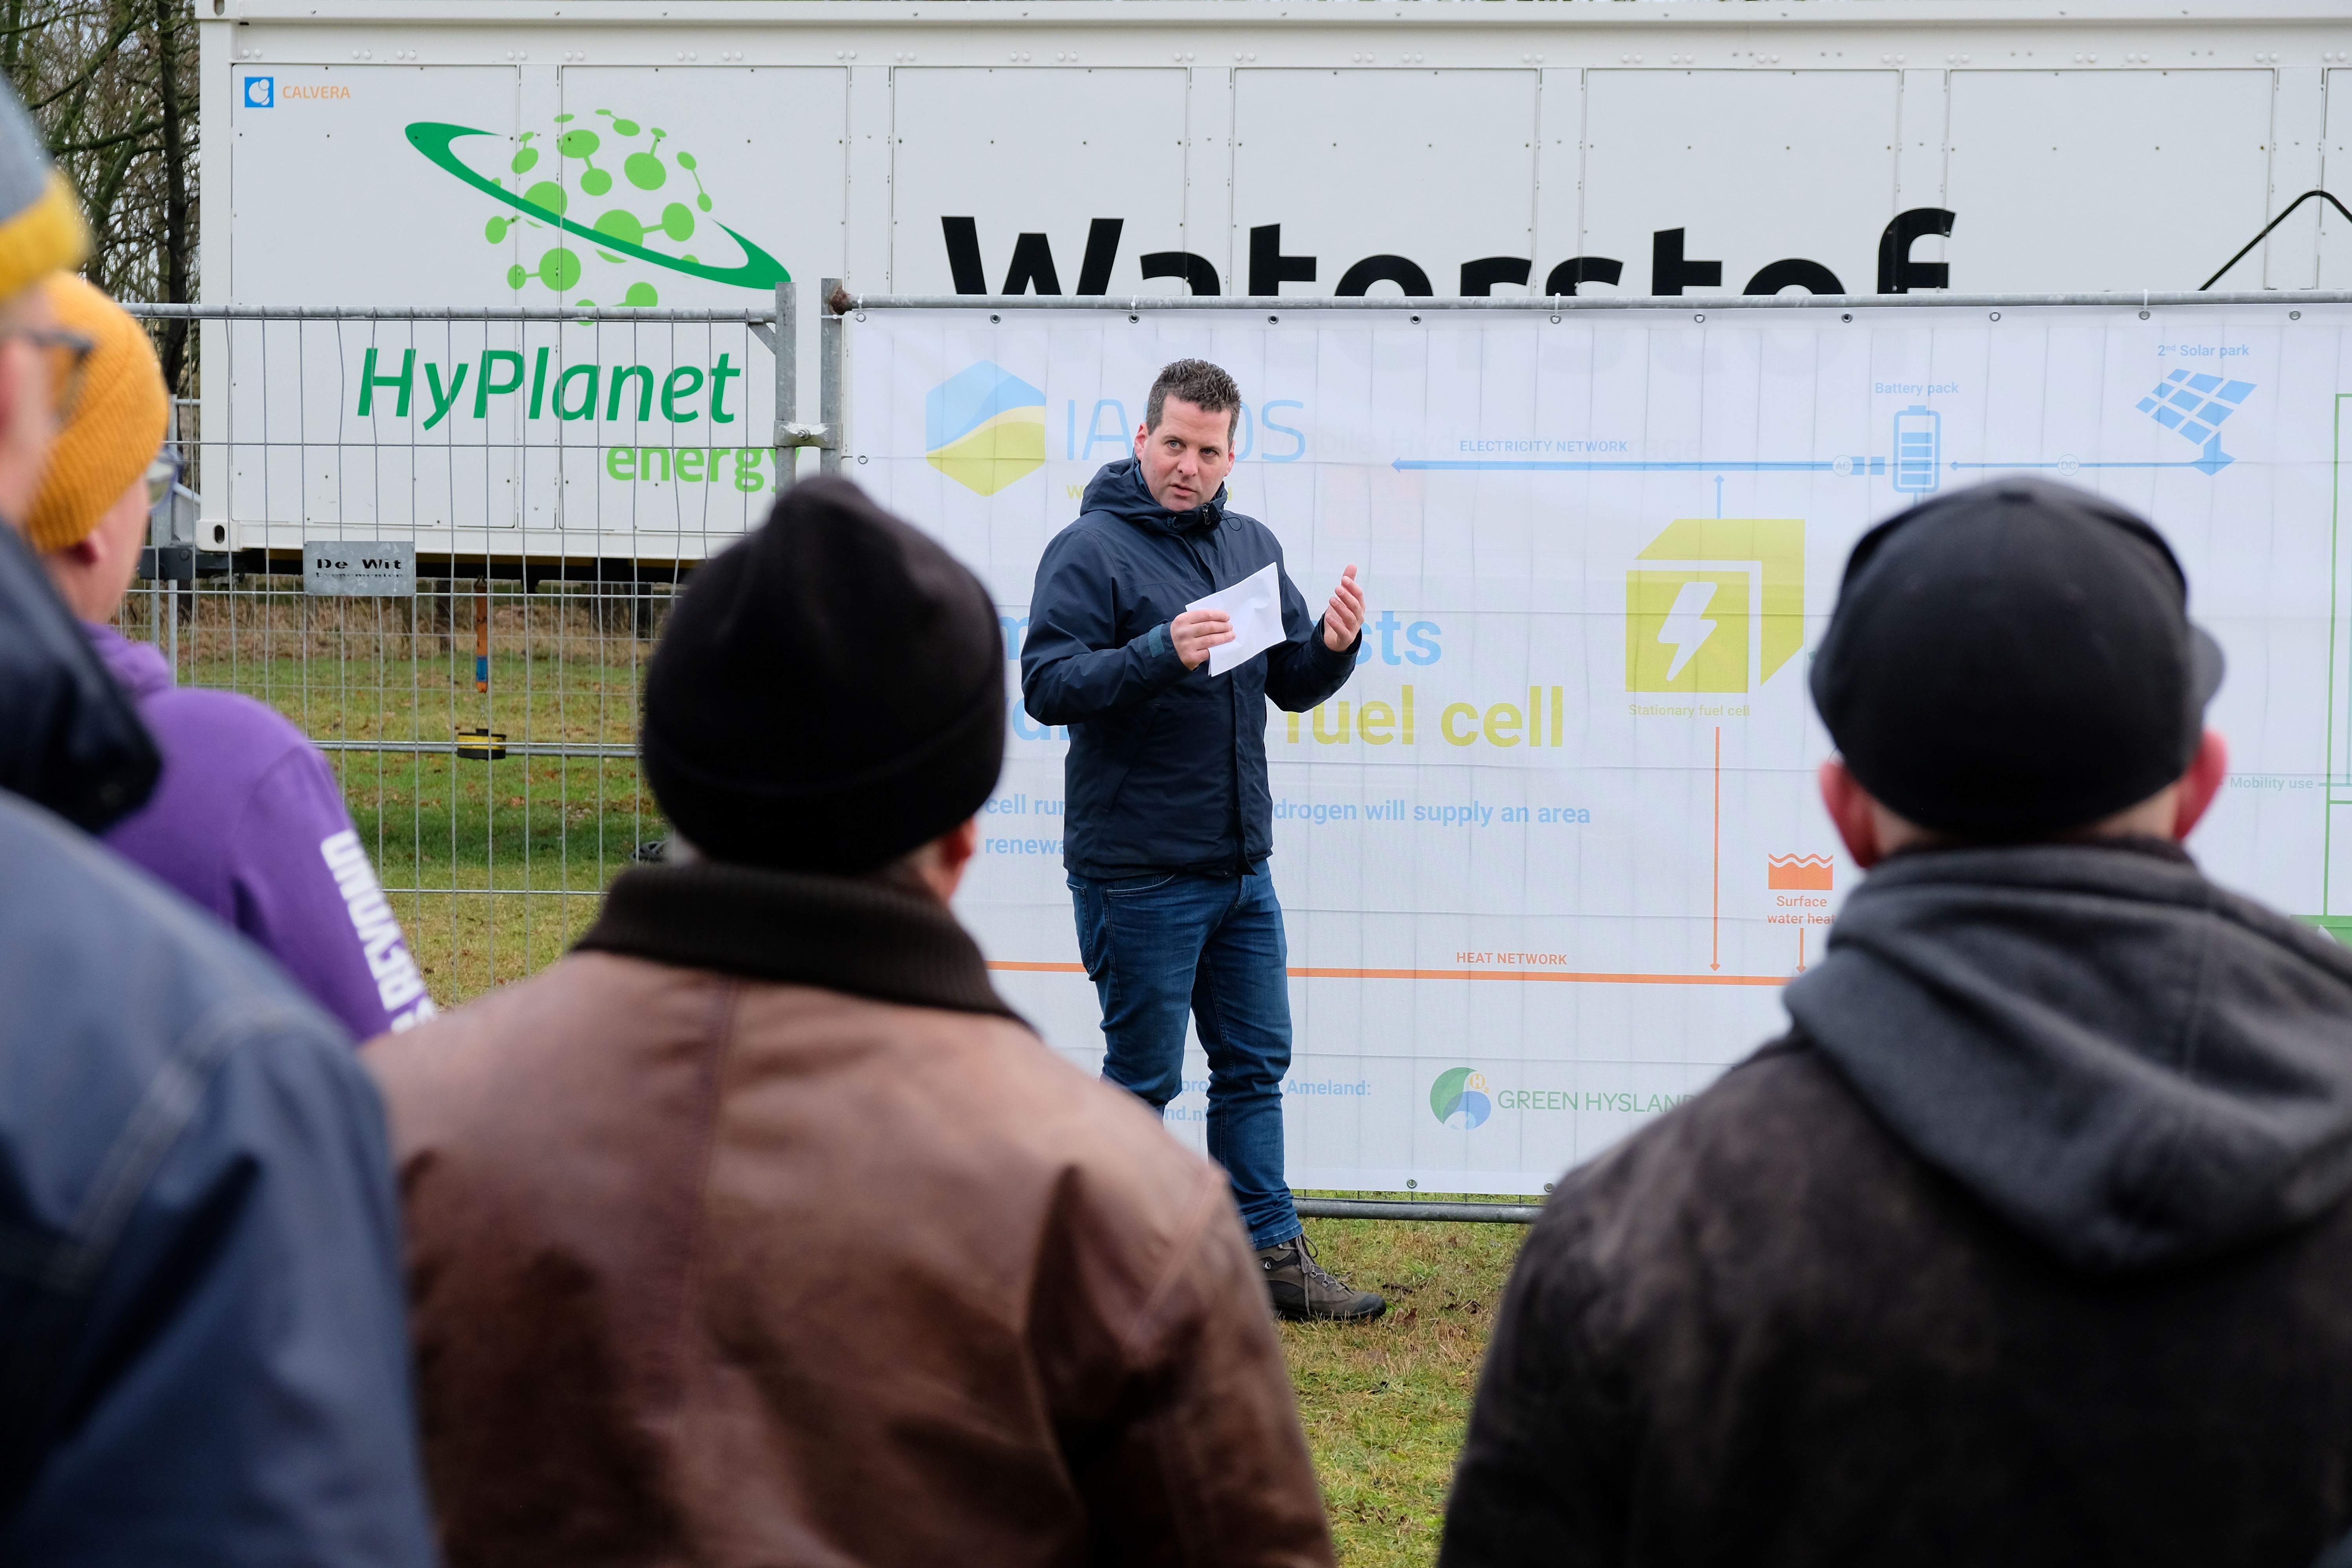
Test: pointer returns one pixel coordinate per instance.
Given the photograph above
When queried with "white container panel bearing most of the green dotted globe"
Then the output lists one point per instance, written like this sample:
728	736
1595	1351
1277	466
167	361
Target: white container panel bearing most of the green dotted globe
697	187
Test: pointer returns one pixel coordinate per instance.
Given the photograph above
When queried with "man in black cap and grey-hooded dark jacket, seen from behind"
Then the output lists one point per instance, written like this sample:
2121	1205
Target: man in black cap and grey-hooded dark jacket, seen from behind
2029	1242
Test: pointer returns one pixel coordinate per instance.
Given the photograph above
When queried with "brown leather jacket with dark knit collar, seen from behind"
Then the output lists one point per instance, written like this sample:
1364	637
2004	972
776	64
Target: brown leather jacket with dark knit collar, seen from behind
766	1233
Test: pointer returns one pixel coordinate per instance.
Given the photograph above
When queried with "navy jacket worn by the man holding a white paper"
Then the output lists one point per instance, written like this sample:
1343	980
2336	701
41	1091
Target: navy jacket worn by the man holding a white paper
1149	784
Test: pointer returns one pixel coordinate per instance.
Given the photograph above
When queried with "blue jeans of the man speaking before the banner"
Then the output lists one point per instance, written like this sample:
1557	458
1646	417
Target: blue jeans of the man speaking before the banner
1165	946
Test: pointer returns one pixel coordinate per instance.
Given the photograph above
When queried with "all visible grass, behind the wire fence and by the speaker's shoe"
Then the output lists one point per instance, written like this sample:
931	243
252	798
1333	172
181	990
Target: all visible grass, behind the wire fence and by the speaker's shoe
497	869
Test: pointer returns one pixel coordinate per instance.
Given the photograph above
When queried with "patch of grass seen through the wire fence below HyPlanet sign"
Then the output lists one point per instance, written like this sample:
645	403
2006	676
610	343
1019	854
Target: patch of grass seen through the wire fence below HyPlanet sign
495	869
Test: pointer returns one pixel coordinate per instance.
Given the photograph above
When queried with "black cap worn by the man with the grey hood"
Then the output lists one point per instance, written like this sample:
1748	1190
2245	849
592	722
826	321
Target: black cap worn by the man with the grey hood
2012	662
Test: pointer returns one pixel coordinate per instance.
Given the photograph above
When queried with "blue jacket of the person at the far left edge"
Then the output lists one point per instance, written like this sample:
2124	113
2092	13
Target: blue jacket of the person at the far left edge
201	1339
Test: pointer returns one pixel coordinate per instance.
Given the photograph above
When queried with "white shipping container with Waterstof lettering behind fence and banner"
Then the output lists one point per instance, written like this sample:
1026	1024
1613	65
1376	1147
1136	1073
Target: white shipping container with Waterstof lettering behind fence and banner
693	154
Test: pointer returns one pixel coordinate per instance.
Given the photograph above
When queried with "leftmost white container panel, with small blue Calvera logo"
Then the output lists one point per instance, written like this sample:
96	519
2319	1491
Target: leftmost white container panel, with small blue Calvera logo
349	187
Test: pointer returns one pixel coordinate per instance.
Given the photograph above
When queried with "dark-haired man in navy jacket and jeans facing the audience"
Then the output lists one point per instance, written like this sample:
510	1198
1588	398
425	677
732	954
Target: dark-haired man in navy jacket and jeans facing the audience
1168	817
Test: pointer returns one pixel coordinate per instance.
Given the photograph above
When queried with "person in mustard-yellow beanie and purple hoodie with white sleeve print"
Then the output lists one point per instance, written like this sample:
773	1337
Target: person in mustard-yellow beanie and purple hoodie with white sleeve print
246	819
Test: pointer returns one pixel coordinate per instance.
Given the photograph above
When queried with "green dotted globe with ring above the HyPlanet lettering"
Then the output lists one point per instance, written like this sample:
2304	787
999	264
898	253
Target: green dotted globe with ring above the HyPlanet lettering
617	234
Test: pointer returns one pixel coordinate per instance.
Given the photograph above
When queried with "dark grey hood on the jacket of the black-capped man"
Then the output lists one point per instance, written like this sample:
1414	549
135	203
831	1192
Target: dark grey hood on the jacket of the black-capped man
2125	1061
